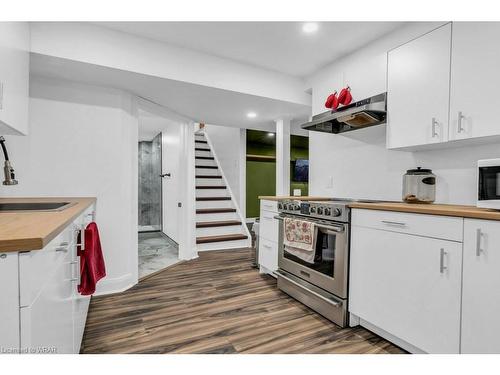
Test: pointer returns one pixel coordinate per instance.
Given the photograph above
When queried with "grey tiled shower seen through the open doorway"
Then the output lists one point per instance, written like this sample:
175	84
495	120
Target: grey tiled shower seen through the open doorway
150	185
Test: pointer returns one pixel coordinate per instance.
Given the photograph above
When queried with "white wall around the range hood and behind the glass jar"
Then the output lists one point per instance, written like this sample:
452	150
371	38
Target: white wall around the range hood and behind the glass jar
358	165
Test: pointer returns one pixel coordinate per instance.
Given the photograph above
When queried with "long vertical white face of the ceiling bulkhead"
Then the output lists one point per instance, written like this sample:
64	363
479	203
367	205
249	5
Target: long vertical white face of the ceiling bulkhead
89	43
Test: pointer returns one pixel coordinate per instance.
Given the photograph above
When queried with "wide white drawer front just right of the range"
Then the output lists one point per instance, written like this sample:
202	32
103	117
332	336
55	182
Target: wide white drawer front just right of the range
443	227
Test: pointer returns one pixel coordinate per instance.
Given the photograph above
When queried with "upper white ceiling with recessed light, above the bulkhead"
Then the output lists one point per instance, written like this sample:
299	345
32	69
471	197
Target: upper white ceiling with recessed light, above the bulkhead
279	46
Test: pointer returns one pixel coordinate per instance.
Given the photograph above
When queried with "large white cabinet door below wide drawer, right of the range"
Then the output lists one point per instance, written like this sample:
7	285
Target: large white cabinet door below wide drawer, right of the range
409	286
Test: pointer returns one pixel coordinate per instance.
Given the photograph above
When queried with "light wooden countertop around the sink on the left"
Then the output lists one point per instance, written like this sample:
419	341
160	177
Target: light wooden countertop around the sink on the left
32	230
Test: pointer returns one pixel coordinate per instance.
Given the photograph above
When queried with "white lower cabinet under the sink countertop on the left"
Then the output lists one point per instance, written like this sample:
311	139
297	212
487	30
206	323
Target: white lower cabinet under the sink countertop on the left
41	310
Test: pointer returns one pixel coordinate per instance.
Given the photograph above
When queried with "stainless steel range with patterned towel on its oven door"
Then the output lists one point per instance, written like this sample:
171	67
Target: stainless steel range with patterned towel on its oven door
321	281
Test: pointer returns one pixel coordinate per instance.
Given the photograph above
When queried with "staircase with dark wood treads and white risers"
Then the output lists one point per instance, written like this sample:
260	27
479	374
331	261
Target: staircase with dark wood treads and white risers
219	223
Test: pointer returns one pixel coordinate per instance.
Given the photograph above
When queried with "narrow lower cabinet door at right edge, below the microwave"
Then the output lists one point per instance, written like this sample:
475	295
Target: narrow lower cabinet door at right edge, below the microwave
481	285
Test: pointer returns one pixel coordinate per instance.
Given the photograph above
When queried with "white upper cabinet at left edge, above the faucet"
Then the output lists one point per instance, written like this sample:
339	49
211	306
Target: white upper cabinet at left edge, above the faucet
14	77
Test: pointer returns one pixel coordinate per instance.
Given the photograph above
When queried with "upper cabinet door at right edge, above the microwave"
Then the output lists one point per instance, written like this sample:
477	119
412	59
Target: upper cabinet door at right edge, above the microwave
474	99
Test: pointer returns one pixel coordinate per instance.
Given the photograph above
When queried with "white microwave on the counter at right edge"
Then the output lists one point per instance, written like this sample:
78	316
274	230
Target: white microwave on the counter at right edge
488	183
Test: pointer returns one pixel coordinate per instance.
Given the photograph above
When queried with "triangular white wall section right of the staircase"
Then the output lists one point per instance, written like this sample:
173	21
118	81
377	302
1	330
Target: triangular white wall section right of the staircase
228	145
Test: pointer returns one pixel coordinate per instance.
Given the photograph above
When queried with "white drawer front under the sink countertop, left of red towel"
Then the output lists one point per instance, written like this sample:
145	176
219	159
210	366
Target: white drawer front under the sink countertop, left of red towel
36	267
